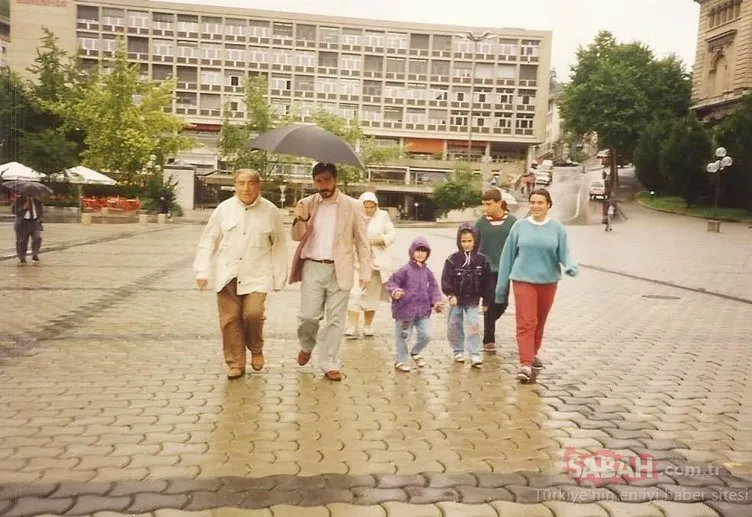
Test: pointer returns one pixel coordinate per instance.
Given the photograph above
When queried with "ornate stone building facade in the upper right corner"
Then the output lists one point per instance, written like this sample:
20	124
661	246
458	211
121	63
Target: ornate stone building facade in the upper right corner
722	73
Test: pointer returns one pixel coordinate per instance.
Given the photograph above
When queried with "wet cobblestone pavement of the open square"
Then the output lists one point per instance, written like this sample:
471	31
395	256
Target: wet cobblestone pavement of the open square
116	398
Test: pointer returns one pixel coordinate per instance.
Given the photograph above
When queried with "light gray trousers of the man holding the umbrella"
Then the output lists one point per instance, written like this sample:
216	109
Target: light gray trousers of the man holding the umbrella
321	297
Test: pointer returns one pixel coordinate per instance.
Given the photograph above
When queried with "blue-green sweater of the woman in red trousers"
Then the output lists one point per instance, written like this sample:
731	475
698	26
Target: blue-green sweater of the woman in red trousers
534	253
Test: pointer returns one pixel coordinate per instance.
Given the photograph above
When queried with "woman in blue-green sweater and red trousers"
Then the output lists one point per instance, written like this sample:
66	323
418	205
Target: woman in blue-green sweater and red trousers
532	258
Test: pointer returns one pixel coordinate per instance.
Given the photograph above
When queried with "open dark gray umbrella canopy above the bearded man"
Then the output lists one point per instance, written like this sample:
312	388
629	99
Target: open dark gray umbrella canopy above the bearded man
309	141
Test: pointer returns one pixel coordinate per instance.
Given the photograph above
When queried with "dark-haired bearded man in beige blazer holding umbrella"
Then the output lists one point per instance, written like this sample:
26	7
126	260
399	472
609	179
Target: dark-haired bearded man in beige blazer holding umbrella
329	226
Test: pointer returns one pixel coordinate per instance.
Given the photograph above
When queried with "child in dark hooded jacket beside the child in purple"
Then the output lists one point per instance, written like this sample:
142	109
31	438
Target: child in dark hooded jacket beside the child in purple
466	280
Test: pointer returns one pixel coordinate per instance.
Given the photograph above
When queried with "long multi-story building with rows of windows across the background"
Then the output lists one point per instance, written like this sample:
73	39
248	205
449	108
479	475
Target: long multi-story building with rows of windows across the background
414	84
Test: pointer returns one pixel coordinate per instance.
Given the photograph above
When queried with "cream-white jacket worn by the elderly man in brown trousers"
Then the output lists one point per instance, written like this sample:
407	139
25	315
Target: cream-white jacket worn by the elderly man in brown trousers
247	243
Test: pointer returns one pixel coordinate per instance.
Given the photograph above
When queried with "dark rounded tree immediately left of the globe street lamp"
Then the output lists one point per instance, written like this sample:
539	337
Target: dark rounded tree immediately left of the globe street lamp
684	156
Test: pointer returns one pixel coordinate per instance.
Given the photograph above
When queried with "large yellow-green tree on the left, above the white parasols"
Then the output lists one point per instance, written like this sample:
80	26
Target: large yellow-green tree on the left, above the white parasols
125	119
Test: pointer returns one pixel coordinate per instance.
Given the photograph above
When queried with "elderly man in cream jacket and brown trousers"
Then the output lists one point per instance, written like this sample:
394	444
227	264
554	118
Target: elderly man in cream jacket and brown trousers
245	246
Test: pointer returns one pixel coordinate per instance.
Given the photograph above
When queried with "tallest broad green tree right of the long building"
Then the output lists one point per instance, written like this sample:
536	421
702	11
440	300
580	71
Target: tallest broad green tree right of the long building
616	89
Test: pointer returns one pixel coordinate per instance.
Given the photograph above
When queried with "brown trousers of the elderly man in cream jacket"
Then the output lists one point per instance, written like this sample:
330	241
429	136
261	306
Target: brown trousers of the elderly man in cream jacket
241	318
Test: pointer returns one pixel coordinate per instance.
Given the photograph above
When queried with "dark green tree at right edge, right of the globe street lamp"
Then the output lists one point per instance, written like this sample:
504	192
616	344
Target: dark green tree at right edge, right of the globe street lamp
735	134
